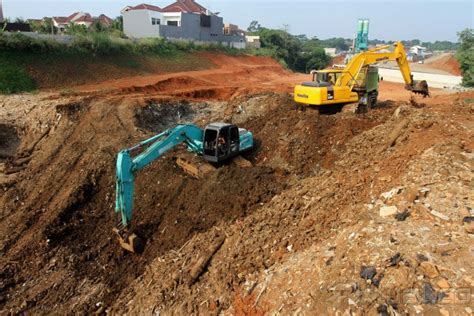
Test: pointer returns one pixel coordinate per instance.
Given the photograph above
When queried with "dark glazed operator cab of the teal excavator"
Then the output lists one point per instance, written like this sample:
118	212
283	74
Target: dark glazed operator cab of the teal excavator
221	142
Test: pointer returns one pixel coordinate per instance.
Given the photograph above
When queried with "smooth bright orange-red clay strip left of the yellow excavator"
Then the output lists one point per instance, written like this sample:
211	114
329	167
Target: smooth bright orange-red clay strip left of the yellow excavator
235	75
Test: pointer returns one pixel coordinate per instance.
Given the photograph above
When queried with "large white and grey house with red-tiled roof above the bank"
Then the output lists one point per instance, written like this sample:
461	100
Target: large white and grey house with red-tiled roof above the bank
183	19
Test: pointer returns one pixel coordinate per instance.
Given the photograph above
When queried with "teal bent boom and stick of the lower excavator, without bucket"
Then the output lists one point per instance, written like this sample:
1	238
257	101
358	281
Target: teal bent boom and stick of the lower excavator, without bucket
155	147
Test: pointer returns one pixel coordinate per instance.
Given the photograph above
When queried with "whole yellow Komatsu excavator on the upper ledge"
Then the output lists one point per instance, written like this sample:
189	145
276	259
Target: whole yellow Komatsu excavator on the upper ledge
358	81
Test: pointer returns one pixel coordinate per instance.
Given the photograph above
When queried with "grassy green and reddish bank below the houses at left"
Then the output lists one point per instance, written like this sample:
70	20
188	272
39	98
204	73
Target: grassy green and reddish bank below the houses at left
27	64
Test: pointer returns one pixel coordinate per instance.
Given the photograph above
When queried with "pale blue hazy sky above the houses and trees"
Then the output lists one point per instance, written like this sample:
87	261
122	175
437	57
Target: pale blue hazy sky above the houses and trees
389	20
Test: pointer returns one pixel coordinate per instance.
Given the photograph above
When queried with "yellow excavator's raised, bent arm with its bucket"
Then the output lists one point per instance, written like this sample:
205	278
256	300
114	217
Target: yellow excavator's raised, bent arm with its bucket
375	56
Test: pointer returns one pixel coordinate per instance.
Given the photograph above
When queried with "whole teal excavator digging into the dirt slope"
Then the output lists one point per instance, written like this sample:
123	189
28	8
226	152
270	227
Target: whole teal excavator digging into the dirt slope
218	142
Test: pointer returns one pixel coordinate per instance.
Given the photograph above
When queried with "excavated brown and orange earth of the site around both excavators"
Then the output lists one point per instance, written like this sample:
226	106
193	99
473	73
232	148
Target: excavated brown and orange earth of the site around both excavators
340	213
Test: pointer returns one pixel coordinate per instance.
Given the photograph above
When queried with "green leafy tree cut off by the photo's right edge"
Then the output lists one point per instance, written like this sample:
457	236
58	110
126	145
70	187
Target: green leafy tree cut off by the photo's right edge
465	56
